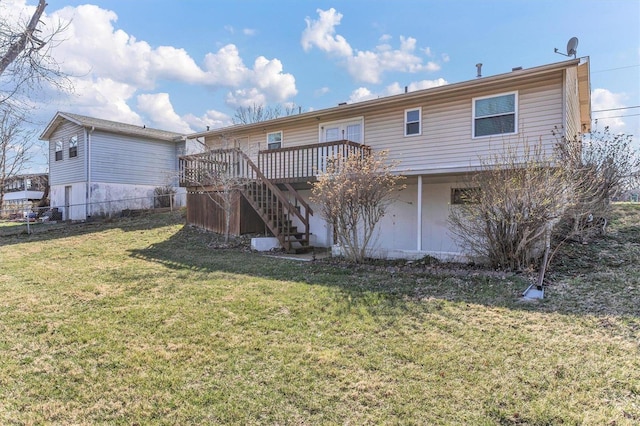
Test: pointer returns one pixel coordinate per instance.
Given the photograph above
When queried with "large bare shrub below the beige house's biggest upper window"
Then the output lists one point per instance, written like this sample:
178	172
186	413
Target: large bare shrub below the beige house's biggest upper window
506	221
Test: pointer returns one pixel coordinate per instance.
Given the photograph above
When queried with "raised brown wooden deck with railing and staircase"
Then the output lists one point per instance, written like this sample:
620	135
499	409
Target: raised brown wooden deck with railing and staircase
268	187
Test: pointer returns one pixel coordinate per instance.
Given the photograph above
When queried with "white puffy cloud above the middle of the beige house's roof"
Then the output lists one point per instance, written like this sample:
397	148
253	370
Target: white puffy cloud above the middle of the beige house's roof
364	65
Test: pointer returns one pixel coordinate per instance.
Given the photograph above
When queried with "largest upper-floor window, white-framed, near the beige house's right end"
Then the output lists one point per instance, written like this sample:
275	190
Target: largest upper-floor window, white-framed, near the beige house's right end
495	115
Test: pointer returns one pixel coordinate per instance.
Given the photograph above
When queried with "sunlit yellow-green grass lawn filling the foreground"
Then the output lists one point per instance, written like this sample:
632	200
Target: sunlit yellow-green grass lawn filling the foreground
140	321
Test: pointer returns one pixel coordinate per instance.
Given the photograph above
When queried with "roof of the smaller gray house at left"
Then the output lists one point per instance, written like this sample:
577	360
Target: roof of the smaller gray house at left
108	126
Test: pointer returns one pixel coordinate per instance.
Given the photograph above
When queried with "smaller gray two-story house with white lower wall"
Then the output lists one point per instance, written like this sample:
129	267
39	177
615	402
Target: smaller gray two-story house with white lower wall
99	167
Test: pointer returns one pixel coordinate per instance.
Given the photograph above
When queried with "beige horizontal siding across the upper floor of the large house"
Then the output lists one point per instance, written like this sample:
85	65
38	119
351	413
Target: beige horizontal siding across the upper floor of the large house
446	143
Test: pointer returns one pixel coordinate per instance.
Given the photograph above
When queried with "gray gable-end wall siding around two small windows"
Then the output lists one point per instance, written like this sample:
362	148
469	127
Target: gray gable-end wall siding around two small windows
68	170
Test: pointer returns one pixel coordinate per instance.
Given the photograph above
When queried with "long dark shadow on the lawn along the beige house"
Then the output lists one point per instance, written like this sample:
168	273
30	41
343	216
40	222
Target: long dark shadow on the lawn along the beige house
395	287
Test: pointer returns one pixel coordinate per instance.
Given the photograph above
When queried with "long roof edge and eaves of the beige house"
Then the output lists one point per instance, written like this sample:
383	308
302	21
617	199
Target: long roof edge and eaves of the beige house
517	74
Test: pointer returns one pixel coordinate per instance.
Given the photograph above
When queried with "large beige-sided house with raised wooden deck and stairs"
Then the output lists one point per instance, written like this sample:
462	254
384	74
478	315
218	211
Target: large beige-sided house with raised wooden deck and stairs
439	135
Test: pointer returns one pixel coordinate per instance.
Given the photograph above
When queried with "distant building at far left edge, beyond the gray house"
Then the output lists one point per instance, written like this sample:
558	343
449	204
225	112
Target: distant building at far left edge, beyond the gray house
21	192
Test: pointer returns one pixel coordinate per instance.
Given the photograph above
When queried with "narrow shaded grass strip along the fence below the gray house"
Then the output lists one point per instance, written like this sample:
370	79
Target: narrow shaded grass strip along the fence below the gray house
17	234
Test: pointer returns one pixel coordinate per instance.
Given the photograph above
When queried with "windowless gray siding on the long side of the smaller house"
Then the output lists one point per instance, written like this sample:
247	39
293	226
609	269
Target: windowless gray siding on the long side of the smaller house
131	160
